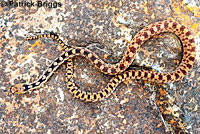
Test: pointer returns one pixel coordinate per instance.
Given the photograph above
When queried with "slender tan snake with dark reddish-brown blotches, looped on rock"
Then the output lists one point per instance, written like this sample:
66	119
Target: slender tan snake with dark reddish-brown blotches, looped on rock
115	69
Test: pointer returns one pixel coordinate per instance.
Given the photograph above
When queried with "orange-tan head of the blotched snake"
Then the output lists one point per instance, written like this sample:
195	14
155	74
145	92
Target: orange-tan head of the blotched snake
16	89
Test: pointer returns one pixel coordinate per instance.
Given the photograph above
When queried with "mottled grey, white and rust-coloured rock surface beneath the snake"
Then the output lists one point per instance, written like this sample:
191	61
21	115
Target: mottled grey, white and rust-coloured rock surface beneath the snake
106	28
